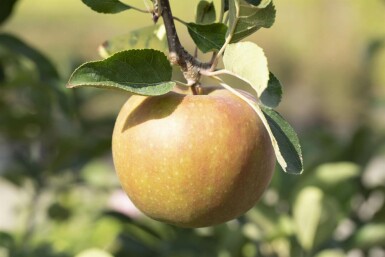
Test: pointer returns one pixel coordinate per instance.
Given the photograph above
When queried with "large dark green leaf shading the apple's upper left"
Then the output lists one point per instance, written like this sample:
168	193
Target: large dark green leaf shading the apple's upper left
144	72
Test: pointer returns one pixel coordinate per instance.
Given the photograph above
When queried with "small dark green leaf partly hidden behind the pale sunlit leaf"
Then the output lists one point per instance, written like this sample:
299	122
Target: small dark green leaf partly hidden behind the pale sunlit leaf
272	95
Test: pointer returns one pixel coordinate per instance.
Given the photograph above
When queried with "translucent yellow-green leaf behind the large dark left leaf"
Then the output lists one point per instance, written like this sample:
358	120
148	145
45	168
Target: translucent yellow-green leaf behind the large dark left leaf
151	37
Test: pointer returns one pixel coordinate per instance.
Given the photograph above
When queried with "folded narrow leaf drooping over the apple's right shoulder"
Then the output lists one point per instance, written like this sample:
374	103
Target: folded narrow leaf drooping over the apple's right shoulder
283	138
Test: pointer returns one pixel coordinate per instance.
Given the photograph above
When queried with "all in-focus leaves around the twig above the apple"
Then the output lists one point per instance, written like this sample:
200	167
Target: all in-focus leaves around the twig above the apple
147	72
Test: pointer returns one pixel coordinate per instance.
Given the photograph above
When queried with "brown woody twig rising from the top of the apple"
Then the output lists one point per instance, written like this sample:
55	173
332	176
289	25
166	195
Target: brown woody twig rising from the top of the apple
190	65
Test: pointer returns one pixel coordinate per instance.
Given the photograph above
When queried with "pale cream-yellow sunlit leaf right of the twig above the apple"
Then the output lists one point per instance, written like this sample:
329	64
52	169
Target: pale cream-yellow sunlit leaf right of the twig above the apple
247	61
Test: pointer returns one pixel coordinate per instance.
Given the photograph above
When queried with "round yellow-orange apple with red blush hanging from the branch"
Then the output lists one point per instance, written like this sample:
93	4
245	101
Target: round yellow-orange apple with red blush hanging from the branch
192	160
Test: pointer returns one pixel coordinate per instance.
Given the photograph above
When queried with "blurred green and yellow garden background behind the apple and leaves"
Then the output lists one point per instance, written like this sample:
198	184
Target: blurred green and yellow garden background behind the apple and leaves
59	195
